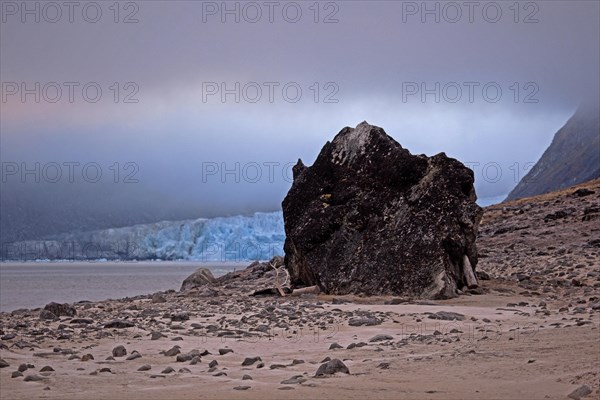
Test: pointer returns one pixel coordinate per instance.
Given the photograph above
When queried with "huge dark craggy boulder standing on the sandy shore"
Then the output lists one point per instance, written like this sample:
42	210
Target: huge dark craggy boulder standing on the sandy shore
369	217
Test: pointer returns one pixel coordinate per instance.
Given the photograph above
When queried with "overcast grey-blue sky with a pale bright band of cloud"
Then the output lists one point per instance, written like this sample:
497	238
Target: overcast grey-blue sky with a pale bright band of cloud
352	61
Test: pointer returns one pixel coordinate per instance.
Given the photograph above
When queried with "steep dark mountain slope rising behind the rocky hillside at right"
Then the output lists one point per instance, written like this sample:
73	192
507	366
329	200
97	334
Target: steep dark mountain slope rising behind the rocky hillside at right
573	157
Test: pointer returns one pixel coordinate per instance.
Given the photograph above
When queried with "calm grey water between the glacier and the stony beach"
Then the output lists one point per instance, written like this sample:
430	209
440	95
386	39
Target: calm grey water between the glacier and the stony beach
31	285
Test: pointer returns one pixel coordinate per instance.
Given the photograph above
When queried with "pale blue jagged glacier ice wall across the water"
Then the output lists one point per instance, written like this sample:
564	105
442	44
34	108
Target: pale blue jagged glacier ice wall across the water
259	236
